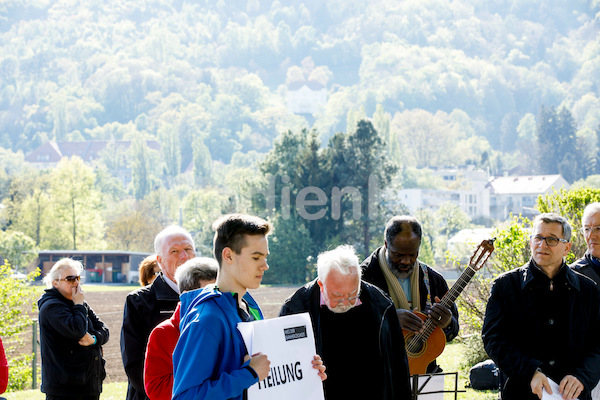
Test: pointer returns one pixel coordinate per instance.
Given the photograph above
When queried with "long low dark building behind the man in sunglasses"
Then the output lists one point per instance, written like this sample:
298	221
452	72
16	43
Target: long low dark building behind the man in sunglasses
104	266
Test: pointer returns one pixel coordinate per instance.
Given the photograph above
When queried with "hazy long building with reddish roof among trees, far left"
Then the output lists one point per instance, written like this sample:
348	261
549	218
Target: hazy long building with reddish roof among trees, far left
50	153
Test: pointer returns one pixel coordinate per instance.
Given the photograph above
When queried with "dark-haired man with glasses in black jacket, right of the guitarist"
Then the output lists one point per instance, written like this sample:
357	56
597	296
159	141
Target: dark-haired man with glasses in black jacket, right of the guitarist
542	320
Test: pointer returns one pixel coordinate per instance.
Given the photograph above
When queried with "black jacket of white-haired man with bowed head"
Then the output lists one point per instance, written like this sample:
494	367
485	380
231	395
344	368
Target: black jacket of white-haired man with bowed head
391	341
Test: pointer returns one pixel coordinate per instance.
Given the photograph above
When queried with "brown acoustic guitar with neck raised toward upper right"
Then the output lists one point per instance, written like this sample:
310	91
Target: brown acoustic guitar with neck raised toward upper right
426	345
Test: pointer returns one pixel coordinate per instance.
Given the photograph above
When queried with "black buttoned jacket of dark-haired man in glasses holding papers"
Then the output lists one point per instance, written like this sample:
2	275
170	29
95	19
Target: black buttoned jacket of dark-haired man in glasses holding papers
534	322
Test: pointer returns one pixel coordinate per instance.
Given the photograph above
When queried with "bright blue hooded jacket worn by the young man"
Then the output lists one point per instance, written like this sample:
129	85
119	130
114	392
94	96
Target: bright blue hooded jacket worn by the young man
208	361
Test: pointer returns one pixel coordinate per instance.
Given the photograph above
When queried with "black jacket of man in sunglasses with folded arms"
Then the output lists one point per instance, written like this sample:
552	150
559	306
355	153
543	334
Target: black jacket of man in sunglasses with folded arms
69	369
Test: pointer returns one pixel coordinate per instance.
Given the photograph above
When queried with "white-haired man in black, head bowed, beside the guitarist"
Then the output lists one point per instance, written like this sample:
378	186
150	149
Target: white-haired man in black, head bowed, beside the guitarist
356	330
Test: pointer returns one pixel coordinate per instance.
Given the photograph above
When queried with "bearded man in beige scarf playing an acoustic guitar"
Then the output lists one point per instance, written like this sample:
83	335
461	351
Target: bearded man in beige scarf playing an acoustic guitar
416	290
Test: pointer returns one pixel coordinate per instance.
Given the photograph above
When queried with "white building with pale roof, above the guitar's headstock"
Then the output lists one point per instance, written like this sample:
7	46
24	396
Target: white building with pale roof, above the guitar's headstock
517	194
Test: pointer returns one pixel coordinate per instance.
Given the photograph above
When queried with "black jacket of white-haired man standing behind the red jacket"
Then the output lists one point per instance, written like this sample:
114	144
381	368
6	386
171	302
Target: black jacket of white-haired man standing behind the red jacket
144	309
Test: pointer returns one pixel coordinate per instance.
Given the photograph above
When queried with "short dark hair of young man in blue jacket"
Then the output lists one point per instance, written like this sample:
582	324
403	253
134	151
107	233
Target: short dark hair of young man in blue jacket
231	231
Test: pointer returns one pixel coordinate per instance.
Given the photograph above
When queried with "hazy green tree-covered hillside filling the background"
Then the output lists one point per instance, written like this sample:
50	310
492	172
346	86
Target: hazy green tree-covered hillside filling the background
499	85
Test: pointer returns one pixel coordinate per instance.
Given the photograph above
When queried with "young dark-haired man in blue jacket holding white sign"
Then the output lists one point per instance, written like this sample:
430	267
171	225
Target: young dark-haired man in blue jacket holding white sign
210	360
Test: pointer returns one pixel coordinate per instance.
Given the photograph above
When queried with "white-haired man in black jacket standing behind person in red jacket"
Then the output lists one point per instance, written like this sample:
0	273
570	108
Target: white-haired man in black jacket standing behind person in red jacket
147	307
